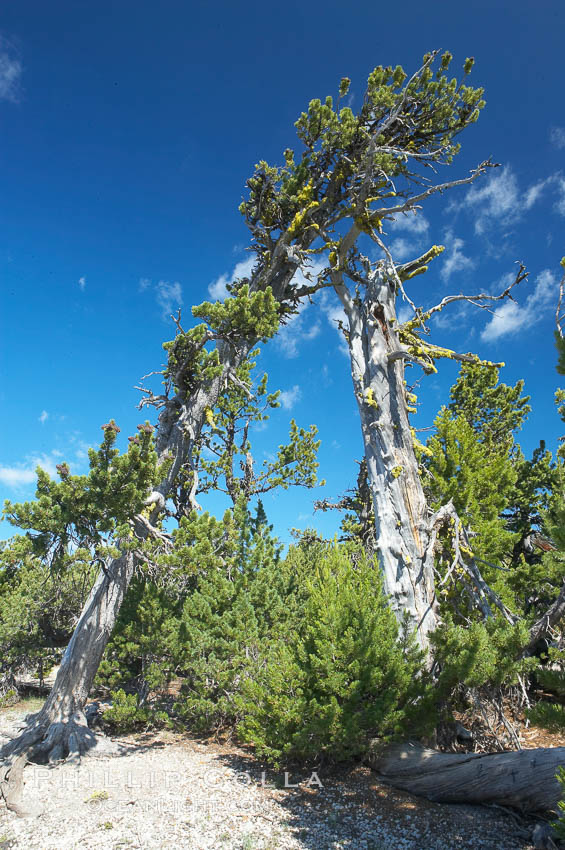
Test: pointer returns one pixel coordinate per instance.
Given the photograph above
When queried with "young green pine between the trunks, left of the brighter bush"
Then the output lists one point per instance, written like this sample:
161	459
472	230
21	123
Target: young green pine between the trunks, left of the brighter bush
238	604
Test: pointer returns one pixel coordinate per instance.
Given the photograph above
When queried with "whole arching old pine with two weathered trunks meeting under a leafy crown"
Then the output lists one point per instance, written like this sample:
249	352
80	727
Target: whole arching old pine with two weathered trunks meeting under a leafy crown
325	208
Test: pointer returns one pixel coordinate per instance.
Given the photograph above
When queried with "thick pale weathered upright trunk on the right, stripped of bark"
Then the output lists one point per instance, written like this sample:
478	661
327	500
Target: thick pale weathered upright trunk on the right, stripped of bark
401	520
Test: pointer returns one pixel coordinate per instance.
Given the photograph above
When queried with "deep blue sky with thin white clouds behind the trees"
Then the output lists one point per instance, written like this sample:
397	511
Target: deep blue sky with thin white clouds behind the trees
127	132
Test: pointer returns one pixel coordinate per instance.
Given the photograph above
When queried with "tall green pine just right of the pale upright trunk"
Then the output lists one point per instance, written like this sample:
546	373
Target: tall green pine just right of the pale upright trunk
474	460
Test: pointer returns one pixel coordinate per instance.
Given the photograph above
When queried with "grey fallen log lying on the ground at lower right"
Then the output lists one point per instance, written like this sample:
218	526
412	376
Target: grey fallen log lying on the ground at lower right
524	779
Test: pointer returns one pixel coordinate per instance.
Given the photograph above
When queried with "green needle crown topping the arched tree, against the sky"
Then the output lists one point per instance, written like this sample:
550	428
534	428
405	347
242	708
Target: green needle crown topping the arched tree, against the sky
430	110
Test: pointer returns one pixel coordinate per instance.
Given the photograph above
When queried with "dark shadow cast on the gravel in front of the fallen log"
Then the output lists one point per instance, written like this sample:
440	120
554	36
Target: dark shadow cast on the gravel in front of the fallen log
348	807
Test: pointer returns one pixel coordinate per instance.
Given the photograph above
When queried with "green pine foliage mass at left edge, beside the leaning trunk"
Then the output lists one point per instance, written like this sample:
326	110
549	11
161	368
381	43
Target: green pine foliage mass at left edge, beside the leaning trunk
73	525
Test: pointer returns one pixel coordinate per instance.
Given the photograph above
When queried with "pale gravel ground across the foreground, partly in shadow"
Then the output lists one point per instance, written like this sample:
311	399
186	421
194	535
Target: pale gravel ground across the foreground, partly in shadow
166	791
